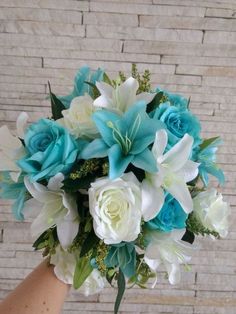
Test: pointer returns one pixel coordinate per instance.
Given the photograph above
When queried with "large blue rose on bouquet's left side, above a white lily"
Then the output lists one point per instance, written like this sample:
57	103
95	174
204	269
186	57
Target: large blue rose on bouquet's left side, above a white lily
50	149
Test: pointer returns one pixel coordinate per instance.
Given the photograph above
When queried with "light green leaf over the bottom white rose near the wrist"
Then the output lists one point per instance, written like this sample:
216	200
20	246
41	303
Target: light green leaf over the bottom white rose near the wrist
82	270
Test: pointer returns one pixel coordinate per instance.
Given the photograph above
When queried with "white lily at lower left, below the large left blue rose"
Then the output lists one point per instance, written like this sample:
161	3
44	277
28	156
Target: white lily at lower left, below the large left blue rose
59	208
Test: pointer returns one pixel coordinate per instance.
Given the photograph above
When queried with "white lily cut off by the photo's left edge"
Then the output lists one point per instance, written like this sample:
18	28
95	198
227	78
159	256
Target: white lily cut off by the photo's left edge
11	148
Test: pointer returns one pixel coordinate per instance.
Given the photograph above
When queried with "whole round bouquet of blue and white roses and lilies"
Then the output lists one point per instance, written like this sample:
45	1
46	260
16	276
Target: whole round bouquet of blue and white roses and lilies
115	182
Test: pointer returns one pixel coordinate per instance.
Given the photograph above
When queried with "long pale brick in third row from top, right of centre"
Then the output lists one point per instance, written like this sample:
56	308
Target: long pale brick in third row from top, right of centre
120	32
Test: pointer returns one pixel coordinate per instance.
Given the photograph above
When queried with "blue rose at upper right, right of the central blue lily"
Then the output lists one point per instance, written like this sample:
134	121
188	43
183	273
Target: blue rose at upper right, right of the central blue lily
179	121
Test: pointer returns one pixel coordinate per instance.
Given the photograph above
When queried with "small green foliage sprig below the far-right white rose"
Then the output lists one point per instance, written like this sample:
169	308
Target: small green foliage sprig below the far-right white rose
194	225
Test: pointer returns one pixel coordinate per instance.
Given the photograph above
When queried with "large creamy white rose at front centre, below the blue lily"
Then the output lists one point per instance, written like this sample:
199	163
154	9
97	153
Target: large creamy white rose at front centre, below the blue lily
116	208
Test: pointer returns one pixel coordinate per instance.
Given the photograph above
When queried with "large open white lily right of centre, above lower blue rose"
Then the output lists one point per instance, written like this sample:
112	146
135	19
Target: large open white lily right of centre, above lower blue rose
174	171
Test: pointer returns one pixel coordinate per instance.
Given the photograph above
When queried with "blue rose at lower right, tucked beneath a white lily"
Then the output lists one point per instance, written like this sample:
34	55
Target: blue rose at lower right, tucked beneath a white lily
171	216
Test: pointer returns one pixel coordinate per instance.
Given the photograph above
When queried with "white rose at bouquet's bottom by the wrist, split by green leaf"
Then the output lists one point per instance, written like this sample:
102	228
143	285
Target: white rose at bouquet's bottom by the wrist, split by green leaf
64	270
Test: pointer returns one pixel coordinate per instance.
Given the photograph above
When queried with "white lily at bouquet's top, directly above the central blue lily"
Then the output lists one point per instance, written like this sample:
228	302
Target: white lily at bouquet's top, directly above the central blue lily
122	97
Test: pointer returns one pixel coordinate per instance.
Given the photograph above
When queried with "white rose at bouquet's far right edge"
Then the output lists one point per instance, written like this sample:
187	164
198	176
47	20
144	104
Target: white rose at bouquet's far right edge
212	211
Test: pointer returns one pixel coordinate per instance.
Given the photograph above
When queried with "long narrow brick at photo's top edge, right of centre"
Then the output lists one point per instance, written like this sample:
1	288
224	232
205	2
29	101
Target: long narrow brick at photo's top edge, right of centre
146	9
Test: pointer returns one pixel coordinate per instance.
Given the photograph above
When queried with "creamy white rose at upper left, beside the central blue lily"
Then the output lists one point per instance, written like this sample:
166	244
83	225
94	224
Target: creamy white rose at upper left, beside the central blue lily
77	119
